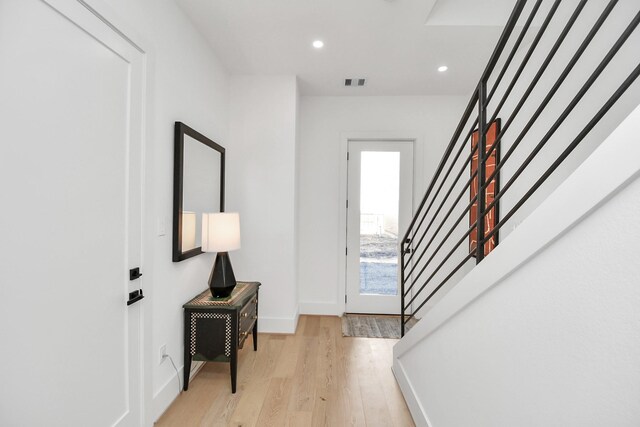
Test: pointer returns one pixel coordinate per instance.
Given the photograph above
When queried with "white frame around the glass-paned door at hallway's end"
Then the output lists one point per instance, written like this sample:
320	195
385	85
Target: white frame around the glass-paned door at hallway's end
418	176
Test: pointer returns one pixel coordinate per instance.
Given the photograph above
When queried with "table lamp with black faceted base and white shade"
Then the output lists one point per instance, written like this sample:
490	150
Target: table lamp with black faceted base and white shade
221	234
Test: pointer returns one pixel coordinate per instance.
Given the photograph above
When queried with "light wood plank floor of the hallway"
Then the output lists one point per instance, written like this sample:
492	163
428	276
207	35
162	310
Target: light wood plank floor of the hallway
316	377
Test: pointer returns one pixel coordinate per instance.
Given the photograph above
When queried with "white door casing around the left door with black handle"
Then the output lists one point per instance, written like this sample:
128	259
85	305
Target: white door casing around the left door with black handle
105	13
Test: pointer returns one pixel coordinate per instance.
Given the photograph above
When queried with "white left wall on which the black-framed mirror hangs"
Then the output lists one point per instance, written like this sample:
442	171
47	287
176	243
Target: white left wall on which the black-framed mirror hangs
188	84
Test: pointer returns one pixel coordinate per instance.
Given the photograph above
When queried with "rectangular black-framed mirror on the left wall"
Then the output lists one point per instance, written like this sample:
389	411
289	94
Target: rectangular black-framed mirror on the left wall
198	187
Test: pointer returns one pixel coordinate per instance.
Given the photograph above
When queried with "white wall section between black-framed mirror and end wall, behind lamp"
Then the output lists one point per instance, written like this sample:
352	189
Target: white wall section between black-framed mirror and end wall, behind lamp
261	186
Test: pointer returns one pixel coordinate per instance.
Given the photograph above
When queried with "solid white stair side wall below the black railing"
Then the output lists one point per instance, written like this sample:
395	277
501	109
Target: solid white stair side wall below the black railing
546	331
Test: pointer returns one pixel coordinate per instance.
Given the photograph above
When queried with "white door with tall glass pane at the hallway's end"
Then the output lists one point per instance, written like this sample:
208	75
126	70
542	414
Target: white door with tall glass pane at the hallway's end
380	189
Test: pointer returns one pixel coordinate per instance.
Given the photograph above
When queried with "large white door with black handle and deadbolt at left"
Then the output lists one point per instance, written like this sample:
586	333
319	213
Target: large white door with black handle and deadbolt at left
71	109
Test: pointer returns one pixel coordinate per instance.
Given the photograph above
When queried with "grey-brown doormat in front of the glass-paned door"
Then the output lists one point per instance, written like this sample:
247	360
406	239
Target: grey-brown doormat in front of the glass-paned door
372	326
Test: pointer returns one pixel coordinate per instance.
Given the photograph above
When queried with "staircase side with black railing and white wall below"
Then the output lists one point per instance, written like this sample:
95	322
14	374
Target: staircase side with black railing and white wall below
521	261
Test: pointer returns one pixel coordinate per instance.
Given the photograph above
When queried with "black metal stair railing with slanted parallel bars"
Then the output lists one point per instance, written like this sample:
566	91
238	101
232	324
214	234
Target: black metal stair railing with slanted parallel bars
432	250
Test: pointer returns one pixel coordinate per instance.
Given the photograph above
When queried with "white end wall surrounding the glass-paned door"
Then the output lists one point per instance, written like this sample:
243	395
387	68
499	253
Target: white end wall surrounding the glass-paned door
322	121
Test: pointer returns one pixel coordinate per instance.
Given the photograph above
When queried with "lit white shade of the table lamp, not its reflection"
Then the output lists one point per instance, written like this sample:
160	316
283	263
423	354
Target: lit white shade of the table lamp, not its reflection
220	232
